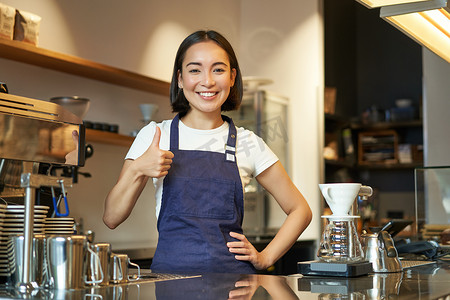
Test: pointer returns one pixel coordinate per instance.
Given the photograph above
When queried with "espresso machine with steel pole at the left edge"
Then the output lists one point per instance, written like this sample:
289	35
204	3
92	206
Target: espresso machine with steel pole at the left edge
34	133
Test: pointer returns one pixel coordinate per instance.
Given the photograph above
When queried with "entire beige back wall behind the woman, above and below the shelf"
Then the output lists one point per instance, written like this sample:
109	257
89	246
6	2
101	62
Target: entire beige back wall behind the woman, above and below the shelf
143	38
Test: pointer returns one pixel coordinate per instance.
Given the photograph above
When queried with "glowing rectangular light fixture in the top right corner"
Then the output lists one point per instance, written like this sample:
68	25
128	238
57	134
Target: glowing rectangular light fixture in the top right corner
426	22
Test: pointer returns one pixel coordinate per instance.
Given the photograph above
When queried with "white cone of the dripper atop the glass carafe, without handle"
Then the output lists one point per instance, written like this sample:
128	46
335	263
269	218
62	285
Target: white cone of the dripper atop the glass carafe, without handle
340	196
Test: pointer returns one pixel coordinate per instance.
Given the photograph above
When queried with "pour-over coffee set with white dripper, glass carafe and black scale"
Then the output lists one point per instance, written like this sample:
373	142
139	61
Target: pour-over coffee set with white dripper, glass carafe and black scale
340	252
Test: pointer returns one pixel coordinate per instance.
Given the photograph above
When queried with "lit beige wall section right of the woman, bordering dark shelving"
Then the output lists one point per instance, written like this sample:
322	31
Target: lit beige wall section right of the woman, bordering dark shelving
284	41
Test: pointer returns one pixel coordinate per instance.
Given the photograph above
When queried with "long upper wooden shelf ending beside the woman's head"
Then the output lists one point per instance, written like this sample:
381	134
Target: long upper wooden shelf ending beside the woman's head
26	53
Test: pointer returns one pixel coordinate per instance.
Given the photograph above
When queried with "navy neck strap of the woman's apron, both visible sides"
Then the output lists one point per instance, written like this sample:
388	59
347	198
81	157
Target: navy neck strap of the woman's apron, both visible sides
230	146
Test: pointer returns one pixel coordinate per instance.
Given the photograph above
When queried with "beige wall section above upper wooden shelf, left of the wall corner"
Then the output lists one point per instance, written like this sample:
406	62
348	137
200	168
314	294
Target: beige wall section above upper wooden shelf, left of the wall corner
139	35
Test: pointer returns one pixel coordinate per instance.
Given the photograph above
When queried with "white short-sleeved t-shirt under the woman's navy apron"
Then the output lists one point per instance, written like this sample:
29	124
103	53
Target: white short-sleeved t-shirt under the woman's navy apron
253	156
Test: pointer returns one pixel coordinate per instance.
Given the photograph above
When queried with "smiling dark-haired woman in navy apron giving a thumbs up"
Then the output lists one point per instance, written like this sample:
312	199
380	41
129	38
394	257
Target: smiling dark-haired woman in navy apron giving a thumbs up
199	180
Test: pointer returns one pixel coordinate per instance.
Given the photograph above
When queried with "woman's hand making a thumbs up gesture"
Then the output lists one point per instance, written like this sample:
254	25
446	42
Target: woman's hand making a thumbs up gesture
155	162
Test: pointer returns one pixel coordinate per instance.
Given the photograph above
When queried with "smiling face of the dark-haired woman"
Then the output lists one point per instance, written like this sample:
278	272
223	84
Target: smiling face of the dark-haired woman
206	77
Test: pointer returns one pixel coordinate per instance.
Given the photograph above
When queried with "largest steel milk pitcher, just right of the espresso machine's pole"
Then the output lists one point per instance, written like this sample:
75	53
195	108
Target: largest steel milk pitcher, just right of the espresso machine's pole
67	262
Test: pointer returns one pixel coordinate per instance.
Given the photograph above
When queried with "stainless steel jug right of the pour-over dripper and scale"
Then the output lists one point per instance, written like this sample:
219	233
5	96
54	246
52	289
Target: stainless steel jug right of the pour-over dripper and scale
379	249
